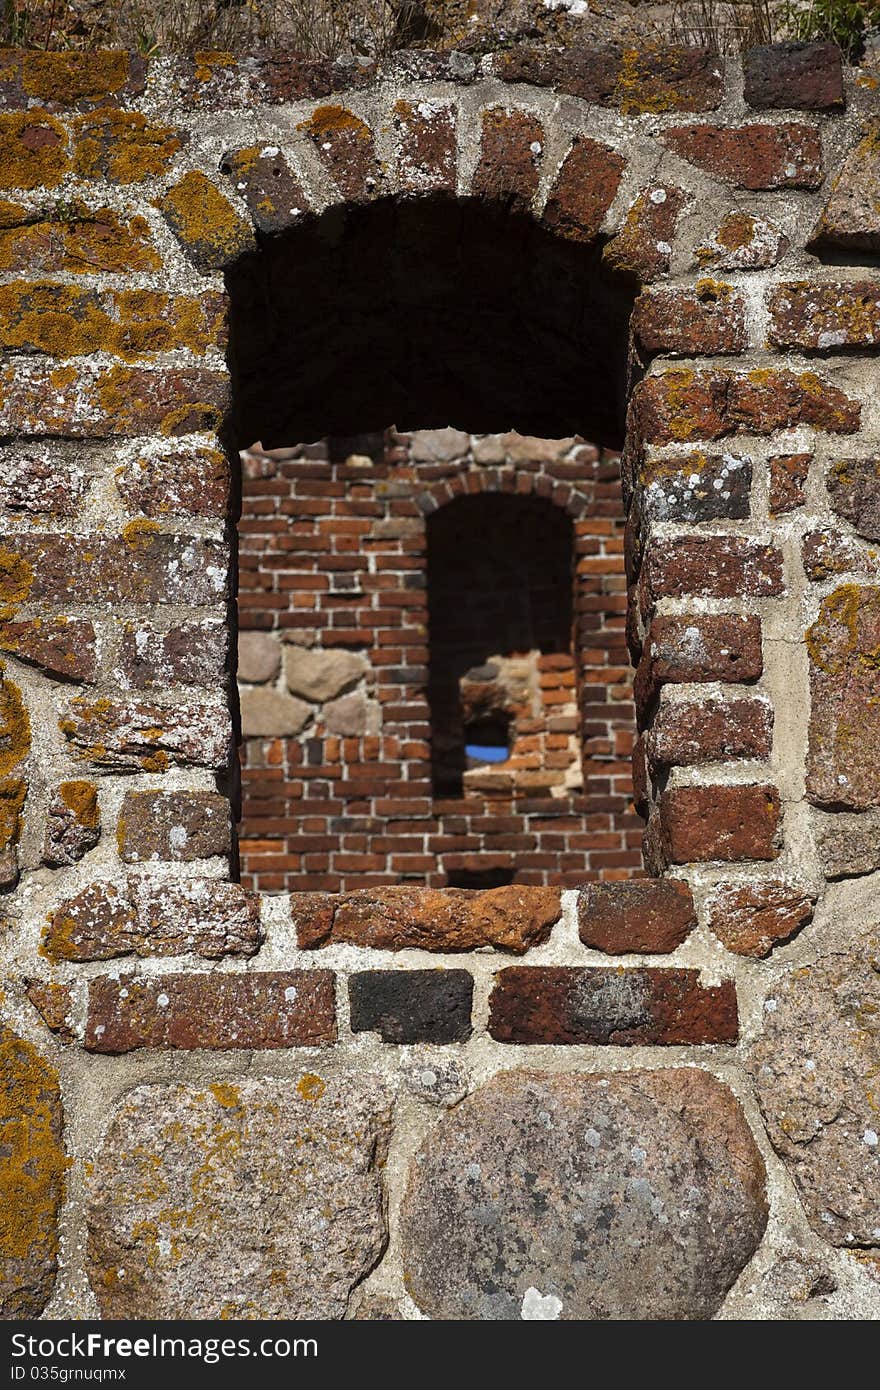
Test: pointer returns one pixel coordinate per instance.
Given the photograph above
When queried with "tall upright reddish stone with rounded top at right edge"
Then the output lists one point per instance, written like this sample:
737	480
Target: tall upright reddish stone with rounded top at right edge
842	767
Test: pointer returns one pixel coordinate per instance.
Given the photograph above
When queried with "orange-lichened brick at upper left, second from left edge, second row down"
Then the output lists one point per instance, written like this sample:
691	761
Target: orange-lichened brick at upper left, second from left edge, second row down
123	147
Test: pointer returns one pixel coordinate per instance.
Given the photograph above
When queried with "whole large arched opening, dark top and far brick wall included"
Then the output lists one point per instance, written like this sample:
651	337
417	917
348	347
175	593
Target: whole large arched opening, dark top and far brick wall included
432	607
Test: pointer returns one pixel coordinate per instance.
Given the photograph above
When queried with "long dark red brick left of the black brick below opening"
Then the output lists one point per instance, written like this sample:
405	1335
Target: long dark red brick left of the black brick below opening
270	1010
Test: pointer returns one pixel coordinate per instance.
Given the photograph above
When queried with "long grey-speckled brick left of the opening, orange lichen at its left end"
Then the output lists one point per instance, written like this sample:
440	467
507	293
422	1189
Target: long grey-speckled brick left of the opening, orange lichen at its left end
141	568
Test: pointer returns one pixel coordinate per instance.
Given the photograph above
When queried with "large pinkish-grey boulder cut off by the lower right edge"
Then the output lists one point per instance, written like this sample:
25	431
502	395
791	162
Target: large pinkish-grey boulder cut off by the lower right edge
815	1067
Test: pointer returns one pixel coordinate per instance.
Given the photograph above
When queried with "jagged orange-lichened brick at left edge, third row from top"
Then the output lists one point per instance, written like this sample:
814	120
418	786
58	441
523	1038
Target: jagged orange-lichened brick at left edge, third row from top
74	238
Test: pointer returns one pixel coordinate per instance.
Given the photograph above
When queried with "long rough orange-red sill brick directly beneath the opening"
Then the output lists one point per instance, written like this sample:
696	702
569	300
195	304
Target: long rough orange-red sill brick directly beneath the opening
429	919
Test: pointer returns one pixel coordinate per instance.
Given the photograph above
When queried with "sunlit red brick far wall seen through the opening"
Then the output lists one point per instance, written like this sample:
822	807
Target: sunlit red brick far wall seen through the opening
364	605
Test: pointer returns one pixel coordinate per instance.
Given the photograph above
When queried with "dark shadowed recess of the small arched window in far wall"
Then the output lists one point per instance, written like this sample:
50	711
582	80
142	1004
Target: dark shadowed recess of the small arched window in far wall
500	584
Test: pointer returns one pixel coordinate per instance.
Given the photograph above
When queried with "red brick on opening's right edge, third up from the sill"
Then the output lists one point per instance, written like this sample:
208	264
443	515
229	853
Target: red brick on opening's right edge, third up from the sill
699	647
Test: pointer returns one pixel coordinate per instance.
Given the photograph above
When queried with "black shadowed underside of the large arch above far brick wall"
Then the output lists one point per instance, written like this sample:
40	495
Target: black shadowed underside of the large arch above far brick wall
426	313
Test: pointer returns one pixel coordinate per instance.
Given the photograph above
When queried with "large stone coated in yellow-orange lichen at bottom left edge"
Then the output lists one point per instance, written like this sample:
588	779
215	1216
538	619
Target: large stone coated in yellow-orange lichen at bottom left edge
33	1159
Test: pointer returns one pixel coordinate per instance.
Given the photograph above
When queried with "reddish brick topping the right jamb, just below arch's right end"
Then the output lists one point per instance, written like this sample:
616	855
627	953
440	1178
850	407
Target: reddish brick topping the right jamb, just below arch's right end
708	320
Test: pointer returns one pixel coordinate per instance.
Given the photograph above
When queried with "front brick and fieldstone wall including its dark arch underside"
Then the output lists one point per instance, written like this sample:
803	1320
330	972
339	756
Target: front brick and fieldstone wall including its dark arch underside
658	1095
